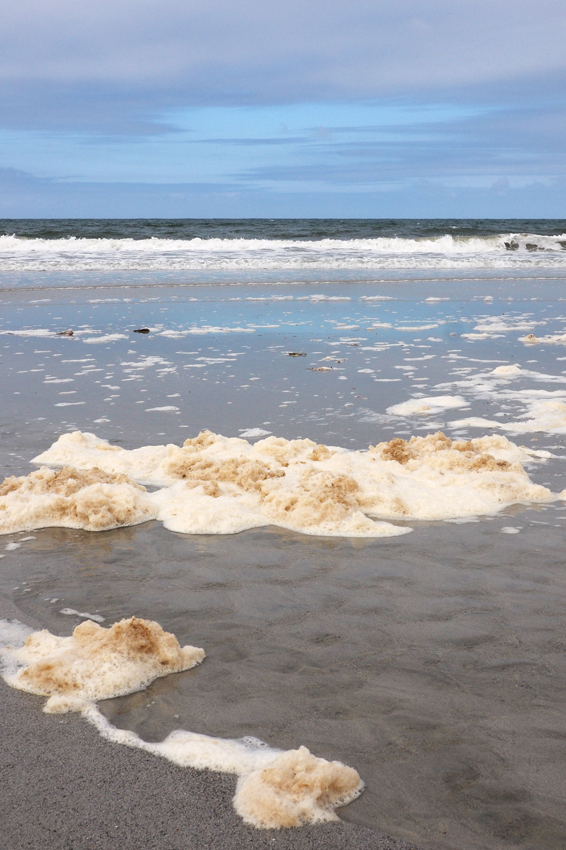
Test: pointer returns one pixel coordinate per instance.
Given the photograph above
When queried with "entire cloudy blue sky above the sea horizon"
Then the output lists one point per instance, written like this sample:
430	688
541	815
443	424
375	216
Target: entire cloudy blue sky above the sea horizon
302	108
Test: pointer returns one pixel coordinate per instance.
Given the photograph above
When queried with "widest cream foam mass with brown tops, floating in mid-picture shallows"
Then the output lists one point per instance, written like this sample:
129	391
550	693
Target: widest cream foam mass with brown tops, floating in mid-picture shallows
219	485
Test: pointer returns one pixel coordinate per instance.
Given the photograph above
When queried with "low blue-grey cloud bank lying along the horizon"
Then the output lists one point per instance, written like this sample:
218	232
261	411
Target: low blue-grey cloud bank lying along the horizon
25	196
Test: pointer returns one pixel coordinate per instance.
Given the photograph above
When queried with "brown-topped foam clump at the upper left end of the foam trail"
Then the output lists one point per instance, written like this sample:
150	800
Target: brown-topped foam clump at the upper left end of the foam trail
97	663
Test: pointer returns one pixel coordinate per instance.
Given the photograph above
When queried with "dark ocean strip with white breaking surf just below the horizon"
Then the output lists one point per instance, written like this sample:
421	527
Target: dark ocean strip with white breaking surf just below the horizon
280	245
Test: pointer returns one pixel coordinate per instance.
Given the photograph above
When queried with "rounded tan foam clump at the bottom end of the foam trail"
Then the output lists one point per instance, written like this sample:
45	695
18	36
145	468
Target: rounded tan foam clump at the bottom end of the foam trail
295	789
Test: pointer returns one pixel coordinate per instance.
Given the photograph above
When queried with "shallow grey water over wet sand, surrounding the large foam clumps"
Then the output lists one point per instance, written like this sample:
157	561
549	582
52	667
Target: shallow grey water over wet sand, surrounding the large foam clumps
433	662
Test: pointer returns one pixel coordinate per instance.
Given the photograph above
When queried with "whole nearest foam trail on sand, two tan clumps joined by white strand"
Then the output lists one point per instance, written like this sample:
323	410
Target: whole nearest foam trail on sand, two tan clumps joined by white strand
275	789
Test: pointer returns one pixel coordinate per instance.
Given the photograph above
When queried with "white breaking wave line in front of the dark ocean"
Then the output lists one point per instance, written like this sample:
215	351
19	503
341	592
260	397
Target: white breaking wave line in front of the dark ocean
502	251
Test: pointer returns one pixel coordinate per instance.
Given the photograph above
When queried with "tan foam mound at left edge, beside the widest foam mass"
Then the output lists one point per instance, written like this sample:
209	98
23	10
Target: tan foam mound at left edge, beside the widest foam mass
91	499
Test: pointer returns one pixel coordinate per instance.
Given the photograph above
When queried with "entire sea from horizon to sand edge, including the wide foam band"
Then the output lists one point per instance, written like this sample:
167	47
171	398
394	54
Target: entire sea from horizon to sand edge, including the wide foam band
392	603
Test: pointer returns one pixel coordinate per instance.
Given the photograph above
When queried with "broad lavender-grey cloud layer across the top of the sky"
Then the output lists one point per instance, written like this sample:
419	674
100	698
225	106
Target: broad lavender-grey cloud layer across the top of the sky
118	66
